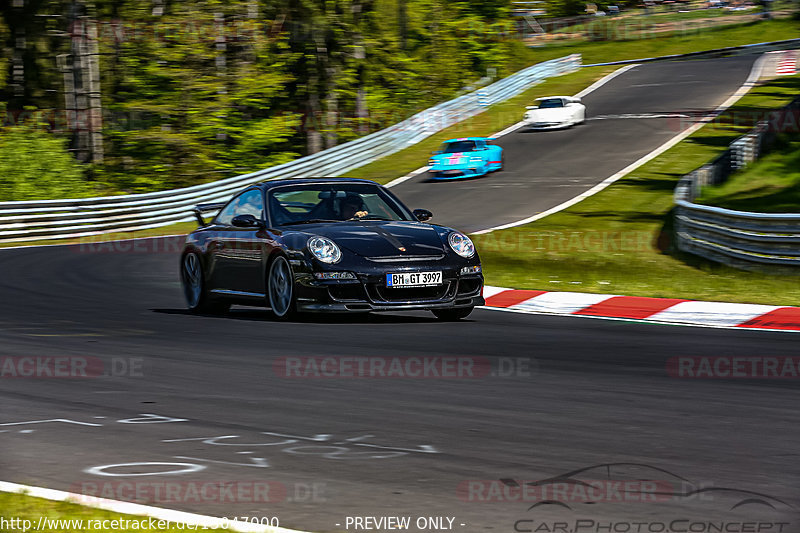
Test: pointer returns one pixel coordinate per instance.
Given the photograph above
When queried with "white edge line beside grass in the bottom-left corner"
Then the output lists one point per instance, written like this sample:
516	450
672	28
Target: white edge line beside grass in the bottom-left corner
145	511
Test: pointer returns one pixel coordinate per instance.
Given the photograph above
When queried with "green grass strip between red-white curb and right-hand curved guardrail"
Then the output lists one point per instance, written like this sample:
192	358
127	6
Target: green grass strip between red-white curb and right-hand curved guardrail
619	240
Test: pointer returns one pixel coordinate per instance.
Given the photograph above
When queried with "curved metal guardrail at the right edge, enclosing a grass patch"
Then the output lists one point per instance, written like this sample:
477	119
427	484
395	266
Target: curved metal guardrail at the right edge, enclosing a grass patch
750	241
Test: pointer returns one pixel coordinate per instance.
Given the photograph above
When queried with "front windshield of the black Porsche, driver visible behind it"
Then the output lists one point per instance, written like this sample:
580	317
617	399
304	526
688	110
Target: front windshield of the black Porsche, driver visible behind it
332	202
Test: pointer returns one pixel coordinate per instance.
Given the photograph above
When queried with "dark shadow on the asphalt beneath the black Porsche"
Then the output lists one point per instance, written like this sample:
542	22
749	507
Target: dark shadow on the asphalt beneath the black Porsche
264	315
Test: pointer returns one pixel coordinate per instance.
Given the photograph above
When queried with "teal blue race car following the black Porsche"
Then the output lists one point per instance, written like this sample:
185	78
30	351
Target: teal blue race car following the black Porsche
466	157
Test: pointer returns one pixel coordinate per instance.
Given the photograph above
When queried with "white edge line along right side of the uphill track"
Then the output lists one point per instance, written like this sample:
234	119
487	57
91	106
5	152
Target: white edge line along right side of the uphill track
755	74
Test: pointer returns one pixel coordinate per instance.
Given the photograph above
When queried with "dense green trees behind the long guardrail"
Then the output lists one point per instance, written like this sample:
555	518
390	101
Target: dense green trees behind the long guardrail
110	96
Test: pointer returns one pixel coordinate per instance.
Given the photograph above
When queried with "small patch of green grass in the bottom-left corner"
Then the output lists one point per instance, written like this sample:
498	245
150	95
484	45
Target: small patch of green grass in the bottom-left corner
18	506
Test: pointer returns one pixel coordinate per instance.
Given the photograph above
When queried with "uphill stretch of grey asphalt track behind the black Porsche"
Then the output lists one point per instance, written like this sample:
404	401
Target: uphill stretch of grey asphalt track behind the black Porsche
546	168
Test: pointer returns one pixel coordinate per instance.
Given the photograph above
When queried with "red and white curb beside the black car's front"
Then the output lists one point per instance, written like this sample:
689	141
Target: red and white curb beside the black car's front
659	310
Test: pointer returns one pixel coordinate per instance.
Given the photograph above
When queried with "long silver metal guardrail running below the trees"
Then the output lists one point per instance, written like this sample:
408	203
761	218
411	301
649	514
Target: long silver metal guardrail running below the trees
72	218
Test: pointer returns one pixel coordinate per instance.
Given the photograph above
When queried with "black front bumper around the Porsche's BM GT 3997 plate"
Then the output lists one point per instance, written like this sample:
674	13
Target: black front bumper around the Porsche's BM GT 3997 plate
369	292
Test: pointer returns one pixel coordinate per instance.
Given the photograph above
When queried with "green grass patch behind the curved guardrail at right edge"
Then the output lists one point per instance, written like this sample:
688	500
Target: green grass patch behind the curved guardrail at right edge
770	185
